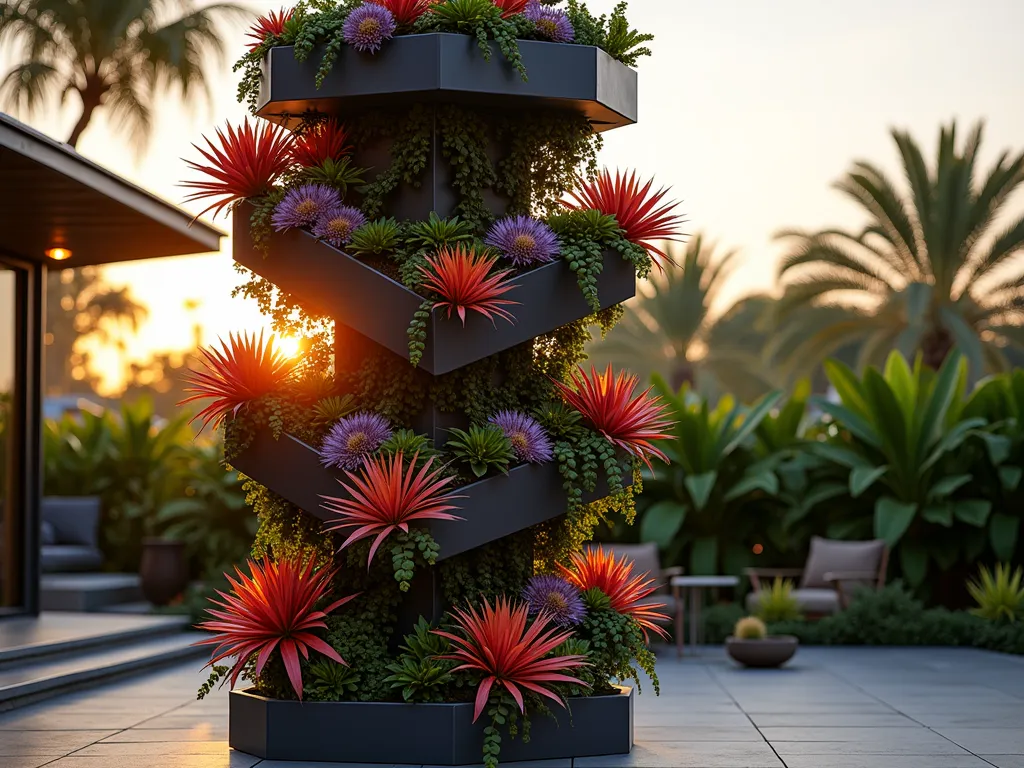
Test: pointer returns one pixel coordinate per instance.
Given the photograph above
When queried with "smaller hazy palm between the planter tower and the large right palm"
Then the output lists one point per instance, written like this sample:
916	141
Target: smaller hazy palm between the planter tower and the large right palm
668	328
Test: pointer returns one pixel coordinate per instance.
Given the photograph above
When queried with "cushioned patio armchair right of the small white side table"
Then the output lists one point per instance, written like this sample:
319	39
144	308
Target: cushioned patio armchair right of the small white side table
834	571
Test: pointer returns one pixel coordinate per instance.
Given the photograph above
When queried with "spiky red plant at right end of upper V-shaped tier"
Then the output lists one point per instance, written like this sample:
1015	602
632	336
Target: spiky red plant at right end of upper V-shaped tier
635	207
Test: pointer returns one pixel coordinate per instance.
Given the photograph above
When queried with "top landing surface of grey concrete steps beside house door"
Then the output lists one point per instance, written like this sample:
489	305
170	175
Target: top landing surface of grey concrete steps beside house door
26	638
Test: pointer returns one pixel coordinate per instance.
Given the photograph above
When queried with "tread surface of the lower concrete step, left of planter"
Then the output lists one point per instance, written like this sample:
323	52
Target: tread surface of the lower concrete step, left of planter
38	674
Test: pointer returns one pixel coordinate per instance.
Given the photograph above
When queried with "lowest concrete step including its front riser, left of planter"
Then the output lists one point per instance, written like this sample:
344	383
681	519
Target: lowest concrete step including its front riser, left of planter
50	676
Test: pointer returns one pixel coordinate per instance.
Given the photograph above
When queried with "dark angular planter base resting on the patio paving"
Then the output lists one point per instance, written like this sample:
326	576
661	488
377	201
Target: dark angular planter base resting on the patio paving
420	734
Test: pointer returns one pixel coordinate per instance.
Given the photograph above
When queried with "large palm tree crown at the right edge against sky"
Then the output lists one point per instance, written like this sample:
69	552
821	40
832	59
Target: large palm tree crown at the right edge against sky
929	272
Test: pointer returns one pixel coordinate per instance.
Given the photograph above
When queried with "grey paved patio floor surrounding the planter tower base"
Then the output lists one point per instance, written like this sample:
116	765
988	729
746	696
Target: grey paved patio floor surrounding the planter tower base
832	708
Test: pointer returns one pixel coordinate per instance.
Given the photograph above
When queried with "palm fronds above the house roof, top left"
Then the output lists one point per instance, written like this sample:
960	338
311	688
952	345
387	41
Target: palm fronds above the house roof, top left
113	54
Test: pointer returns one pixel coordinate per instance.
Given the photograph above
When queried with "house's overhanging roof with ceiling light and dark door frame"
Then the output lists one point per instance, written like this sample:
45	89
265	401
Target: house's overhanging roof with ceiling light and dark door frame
58	210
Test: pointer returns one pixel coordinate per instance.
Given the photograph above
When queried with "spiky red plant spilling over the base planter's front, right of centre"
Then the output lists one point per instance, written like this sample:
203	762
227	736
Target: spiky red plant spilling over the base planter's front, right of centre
498	643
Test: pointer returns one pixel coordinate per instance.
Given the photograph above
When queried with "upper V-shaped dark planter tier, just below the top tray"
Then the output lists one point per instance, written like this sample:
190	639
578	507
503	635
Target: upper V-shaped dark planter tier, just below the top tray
380	309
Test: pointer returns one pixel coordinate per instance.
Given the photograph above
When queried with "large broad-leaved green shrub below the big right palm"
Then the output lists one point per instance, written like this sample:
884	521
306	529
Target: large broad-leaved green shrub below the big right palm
898	445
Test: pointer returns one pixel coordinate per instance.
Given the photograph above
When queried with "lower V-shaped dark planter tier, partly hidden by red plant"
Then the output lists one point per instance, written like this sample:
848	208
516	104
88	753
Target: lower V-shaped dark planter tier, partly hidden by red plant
492	508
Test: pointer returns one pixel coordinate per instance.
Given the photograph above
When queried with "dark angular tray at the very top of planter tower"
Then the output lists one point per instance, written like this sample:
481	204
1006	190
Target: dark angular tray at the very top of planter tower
447	68
